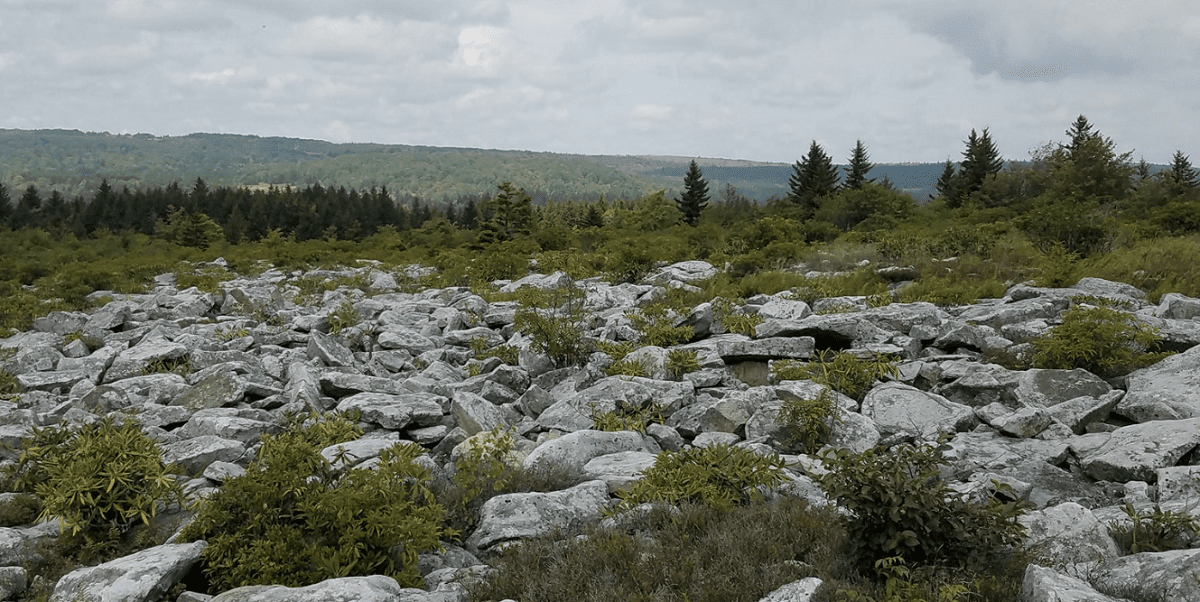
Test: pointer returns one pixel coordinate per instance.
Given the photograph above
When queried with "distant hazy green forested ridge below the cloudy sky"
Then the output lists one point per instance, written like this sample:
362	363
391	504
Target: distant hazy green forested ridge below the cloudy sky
75	164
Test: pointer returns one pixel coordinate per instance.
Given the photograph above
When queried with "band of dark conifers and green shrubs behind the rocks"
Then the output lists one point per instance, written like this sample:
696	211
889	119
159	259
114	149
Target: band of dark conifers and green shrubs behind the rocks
1075	207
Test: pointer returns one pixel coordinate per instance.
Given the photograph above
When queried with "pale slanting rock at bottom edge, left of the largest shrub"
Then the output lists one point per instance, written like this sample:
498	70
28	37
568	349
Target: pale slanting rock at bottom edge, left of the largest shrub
143	576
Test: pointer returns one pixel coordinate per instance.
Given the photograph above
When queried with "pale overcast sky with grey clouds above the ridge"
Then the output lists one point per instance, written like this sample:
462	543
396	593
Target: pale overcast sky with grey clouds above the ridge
710	79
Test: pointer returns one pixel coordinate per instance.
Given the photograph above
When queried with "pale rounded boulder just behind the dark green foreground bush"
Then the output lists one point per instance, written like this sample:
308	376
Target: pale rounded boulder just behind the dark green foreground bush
898	408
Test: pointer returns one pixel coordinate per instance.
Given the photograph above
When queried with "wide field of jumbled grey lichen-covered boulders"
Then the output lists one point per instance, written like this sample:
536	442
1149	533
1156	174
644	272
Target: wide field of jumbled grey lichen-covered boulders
1075	446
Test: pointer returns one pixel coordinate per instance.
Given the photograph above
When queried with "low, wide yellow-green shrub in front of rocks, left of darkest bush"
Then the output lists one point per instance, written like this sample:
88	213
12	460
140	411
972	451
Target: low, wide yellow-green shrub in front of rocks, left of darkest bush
719	477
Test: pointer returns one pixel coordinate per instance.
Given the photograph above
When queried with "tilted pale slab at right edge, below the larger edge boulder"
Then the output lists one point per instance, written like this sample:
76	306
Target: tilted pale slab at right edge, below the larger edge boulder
1138	451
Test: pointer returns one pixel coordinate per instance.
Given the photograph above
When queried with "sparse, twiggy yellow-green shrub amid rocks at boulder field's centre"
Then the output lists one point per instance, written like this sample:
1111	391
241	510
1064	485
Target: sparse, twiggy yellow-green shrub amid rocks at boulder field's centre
556	323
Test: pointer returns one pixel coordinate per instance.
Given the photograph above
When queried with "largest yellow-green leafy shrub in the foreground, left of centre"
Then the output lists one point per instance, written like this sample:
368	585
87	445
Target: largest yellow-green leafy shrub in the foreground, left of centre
295	519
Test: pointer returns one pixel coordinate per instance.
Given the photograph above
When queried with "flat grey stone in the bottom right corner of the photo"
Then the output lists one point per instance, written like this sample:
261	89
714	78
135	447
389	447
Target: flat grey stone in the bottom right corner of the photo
1151	576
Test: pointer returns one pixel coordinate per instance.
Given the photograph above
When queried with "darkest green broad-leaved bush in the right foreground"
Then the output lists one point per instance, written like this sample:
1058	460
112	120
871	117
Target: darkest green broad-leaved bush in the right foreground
901	507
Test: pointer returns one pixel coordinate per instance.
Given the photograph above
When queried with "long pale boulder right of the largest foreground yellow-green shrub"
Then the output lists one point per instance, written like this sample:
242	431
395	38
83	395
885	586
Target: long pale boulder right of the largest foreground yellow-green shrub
518	516
